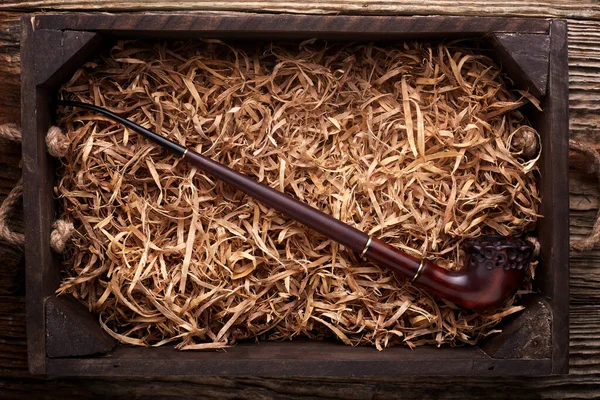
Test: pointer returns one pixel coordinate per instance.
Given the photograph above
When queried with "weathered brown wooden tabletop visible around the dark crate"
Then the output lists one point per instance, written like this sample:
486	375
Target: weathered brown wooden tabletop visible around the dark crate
584	81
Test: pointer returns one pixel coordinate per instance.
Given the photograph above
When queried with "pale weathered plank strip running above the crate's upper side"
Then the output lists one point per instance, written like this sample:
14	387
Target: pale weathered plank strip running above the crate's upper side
588	9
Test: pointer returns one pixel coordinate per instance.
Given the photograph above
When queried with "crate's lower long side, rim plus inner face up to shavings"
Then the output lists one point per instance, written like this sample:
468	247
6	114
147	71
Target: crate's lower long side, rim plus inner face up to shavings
297	358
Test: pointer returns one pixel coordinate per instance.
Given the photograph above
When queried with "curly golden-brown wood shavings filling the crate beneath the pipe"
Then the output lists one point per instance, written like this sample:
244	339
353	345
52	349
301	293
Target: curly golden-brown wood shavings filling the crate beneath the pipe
410	143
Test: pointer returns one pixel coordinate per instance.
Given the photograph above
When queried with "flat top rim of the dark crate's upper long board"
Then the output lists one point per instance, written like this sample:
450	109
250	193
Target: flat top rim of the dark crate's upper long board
287	24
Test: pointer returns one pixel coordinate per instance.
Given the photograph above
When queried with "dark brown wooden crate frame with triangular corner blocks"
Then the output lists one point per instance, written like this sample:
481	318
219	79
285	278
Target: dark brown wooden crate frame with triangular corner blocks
65	340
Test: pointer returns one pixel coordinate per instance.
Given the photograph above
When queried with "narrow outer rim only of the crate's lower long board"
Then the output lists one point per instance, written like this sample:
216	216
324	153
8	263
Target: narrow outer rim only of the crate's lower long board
283	369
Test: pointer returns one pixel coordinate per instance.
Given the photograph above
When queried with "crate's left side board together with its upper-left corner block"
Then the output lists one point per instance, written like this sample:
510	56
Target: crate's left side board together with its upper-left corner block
45	54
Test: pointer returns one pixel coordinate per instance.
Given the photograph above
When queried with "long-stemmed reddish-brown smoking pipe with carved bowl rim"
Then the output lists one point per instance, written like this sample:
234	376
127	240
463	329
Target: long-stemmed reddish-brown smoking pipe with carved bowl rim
495	265
